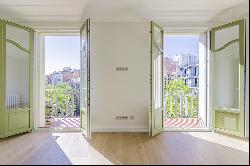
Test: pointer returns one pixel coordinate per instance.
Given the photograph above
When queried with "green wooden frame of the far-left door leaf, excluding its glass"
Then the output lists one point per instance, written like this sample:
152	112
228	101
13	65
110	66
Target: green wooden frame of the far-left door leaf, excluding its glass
17	120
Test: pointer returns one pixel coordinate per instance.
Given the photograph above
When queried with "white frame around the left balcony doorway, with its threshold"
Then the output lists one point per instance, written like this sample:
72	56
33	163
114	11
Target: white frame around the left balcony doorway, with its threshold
39	75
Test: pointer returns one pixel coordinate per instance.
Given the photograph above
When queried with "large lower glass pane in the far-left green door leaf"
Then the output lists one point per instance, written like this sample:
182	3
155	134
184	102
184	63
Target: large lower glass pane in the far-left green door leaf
17	77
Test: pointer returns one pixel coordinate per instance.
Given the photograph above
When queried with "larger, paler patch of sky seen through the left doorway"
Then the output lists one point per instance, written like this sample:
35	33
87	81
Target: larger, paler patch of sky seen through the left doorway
61	51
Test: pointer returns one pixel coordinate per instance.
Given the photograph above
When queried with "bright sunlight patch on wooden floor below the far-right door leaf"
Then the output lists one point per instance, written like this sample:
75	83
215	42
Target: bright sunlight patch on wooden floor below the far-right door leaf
235	143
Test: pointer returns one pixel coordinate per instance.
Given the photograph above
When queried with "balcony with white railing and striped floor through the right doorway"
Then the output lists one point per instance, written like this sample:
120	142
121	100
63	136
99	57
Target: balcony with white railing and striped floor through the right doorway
182	111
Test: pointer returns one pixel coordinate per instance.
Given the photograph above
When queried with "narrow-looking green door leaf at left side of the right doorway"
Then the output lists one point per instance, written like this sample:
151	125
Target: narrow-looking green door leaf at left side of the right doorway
156	110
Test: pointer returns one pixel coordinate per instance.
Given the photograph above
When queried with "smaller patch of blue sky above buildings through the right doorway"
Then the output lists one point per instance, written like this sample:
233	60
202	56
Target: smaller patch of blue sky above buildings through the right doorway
176	44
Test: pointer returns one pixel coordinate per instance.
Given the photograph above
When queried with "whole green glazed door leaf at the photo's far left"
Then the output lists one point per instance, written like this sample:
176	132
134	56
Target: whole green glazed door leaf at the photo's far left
16	83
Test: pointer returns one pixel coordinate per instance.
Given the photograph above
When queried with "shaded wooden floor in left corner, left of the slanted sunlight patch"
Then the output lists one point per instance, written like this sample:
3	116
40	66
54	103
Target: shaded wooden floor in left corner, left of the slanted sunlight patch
32	148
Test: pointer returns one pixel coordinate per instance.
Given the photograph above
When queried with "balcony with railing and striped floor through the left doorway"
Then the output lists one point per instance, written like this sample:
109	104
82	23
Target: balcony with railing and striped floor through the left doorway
62	109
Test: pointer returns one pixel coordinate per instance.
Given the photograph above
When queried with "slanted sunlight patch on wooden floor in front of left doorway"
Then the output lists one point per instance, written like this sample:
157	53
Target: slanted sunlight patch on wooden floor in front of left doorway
78	150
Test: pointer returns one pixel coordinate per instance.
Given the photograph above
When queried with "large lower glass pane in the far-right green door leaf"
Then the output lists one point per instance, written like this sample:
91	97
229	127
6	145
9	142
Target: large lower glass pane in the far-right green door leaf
227	77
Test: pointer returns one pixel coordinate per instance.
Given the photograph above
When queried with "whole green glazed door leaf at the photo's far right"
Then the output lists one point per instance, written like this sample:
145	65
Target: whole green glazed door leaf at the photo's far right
228	80
